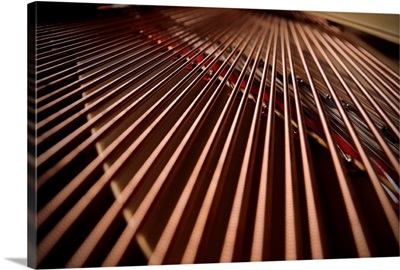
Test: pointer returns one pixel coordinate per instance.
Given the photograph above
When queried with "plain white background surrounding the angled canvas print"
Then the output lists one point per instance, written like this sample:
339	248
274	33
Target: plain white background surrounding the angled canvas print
13	99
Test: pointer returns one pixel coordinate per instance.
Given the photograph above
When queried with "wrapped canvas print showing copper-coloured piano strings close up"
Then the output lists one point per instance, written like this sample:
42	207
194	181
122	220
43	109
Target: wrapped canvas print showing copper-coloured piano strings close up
185	135
